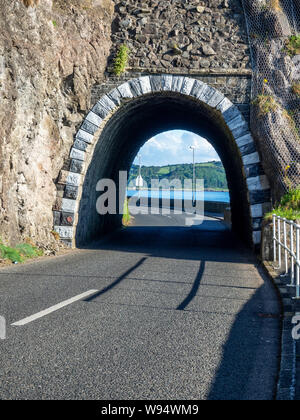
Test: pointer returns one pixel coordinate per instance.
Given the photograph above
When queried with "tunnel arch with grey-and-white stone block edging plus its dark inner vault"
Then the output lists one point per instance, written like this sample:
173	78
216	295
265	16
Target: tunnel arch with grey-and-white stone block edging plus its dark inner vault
124	119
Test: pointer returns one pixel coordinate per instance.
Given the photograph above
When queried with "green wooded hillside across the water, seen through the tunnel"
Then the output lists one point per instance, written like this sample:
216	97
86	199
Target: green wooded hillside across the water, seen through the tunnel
213	174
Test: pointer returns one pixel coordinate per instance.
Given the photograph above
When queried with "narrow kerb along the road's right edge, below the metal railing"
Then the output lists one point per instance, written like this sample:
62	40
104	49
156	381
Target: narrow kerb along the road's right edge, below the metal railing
286	387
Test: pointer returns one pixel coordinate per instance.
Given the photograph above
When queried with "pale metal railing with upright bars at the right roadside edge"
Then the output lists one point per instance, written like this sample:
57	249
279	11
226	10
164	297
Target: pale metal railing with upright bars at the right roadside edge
290	231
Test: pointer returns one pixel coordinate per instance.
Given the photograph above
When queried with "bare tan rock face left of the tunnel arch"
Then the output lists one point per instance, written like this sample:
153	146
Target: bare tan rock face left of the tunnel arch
51	53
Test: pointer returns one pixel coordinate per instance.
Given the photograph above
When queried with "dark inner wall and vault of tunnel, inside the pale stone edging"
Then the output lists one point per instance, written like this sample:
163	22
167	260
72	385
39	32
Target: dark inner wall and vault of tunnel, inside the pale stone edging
131	126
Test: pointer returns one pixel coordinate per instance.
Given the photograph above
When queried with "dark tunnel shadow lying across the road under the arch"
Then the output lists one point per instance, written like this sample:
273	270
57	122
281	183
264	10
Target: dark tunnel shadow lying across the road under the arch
207	242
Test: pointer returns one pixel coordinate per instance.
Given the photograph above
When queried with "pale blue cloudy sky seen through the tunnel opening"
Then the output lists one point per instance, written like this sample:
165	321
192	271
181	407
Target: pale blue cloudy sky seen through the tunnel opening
172	147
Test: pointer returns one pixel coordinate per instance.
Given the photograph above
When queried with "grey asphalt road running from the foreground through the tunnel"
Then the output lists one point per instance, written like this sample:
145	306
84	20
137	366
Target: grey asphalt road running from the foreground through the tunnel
170	313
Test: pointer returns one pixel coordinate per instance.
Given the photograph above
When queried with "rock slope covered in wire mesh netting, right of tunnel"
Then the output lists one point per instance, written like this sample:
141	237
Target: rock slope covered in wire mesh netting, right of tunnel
274	34
